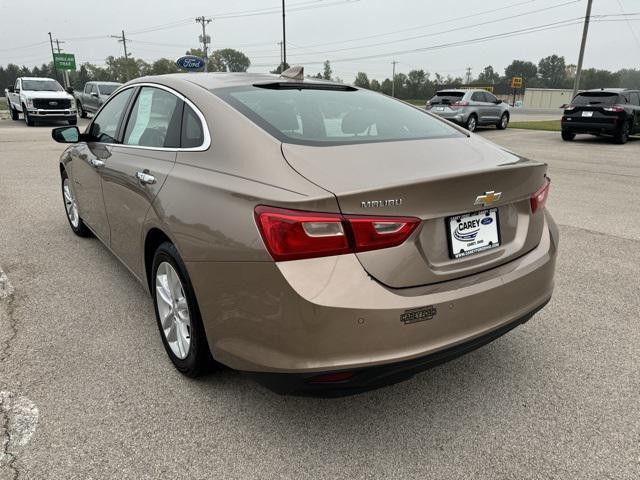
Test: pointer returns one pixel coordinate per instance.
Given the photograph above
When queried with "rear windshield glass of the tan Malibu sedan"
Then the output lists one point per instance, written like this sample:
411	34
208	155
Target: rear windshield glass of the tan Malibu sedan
323	117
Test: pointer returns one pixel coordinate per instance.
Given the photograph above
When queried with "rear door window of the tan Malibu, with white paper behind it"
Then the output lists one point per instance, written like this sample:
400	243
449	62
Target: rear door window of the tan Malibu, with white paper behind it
155	119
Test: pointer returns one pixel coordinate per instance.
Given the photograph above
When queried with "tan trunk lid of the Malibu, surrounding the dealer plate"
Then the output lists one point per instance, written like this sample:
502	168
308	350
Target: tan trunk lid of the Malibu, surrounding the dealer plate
433	180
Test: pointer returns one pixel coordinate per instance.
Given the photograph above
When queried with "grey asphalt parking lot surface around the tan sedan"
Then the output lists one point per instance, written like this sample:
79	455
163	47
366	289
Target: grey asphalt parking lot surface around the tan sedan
87	391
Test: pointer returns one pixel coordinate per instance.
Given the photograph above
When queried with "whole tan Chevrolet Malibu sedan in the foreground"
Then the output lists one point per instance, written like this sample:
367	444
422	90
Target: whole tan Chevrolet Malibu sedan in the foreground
322	237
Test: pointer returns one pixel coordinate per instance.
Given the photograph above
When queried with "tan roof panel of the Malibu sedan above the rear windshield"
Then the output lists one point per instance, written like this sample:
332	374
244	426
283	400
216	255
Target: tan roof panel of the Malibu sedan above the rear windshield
214	80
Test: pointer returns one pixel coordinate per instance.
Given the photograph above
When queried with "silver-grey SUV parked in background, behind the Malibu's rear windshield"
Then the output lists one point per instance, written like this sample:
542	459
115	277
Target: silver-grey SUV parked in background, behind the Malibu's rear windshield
470	108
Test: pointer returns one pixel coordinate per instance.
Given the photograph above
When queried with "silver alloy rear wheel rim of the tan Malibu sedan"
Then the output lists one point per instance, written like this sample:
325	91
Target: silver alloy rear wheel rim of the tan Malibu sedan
173	310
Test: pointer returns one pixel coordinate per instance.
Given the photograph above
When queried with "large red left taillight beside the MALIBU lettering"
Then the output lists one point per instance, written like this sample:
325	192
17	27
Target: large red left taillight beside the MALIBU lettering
294	234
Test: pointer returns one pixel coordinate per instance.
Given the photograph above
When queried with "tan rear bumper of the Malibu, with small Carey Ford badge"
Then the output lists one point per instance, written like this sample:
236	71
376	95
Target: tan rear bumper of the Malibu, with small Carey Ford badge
328	314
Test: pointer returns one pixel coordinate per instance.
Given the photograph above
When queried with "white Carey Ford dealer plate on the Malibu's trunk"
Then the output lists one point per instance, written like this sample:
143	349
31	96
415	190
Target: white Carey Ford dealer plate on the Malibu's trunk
474	232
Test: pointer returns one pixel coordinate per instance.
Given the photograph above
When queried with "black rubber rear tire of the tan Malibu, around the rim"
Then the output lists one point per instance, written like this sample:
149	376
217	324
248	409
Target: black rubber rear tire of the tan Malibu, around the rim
198	360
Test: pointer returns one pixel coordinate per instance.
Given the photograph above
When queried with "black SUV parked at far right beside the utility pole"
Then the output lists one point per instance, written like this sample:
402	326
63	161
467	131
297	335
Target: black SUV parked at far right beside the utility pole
606	111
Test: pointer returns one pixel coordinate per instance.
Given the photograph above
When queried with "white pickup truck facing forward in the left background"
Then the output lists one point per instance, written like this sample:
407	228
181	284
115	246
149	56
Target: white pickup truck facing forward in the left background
40	99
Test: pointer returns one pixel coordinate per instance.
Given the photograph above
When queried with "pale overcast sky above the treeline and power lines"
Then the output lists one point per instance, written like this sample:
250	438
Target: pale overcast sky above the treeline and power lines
355	35
